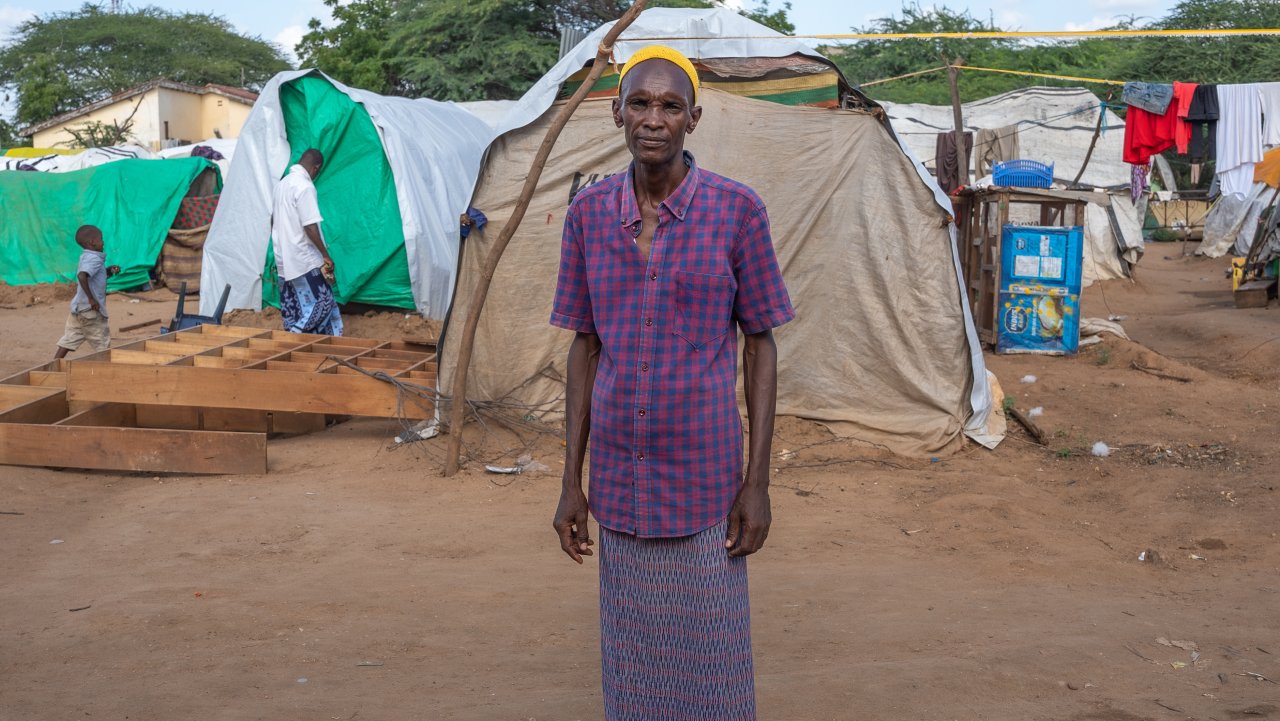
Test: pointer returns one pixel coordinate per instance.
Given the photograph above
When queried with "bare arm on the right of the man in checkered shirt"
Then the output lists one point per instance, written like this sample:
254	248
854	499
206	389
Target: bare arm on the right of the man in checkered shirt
751	519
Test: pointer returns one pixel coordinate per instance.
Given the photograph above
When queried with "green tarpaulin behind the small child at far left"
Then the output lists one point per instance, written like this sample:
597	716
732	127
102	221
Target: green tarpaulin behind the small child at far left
132	202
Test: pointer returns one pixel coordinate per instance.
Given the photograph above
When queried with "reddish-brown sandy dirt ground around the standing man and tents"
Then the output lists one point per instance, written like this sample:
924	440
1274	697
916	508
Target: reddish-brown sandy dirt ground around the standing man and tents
355	583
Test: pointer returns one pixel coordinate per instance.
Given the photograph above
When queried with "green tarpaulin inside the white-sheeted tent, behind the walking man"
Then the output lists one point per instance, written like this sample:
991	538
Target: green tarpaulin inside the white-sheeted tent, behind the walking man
356	191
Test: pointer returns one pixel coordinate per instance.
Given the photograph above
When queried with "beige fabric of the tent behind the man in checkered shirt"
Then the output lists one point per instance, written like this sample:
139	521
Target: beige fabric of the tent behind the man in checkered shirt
879	346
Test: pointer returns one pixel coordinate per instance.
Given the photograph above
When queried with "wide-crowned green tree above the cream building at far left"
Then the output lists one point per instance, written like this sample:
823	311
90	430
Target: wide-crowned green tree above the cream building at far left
60	62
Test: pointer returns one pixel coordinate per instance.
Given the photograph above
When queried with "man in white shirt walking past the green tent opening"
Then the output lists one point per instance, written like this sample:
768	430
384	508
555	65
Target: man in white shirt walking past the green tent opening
301	258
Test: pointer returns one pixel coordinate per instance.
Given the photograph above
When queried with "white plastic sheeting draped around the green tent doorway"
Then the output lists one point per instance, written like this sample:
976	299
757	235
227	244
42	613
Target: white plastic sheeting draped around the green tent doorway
435	152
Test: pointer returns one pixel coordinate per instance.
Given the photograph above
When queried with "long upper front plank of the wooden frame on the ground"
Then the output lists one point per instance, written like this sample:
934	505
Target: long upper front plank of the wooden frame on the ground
237	389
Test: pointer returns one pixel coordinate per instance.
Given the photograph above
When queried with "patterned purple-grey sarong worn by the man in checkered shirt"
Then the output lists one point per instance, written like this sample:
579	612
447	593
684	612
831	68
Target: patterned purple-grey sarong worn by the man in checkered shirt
675	629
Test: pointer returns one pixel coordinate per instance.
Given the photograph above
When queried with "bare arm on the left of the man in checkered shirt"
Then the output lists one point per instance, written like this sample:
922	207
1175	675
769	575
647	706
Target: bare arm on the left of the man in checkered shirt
584	359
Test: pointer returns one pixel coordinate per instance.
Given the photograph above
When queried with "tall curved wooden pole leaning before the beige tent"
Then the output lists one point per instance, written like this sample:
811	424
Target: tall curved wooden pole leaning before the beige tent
459	400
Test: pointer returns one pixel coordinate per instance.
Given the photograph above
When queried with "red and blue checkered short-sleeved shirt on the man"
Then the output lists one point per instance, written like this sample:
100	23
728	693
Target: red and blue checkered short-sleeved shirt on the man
666	435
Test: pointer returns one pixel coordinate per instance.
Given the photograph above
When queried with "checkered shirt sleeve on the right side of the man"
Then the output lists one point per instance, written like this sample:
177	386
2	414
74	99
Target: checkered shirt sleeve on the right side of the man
762	300
